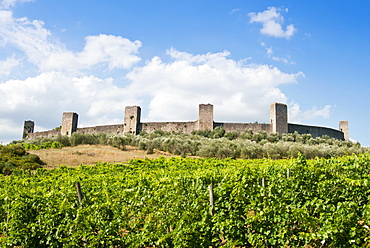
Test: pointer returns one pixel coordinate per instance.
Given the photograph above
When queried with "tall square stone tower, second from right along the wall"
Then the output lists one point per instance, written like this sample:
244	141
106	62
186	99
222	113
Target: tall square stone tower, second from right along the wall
279	118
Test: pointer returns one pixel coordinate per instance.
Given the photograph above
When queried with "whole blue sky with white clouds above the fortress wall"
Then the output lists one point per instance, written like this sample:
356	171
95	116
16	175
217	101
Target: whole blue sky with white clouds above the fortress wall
96	57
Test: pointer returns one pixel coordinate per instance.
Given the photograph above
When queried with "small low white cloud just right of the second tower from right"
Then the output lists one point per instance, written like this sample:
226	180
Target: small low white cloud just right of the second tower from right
297	115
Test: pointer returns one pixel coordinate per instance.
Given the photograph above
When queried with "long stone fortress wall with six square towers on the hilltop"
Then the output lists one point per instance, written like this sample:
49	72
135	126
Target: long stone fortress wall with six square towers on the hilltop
131	124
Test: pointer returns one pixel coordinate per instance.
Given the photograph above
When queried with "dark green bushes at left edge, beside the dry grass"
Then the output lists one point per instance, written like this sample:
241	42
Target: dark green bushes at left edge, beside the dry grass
13	157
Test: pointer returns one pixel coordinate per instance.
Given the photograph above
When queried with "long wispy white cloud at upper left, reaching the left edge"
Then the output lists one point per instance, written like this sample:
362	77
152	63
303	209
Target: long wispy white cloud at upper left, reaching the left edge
48	54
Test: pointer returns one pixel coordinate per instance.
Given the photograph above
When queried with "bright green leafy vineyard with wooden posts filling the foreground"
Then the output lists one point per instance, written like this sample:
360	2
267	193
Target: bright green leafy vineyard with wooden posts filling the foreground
169	203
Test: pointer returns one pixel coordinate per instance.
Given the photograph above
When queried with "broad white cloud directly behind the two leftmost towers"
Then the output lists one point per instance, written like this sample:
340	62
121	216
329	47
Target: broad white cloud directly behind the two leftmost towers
43	98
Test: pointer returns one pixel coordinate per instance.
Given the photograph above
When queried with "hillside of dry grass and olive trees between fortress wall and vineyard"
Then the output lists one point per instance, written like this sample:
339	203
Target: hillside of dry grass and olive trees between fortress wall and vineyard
91	148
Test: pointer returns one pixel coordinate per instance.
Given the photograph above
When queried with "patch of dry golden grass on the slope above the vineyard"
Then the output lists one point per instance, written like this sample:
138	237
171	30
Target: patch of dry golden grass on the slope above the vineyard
90	154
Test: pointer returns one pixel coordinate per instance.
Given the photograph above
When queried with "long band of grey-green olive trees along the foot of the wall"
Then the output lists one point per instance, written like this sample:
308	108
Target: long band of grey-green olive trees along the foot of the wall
216	143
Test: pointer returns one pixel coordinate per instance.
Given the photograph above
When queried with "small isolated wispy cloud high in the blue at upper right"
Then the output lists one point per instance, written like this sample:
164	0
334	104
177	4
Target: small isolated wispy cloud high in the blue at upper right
272	21
